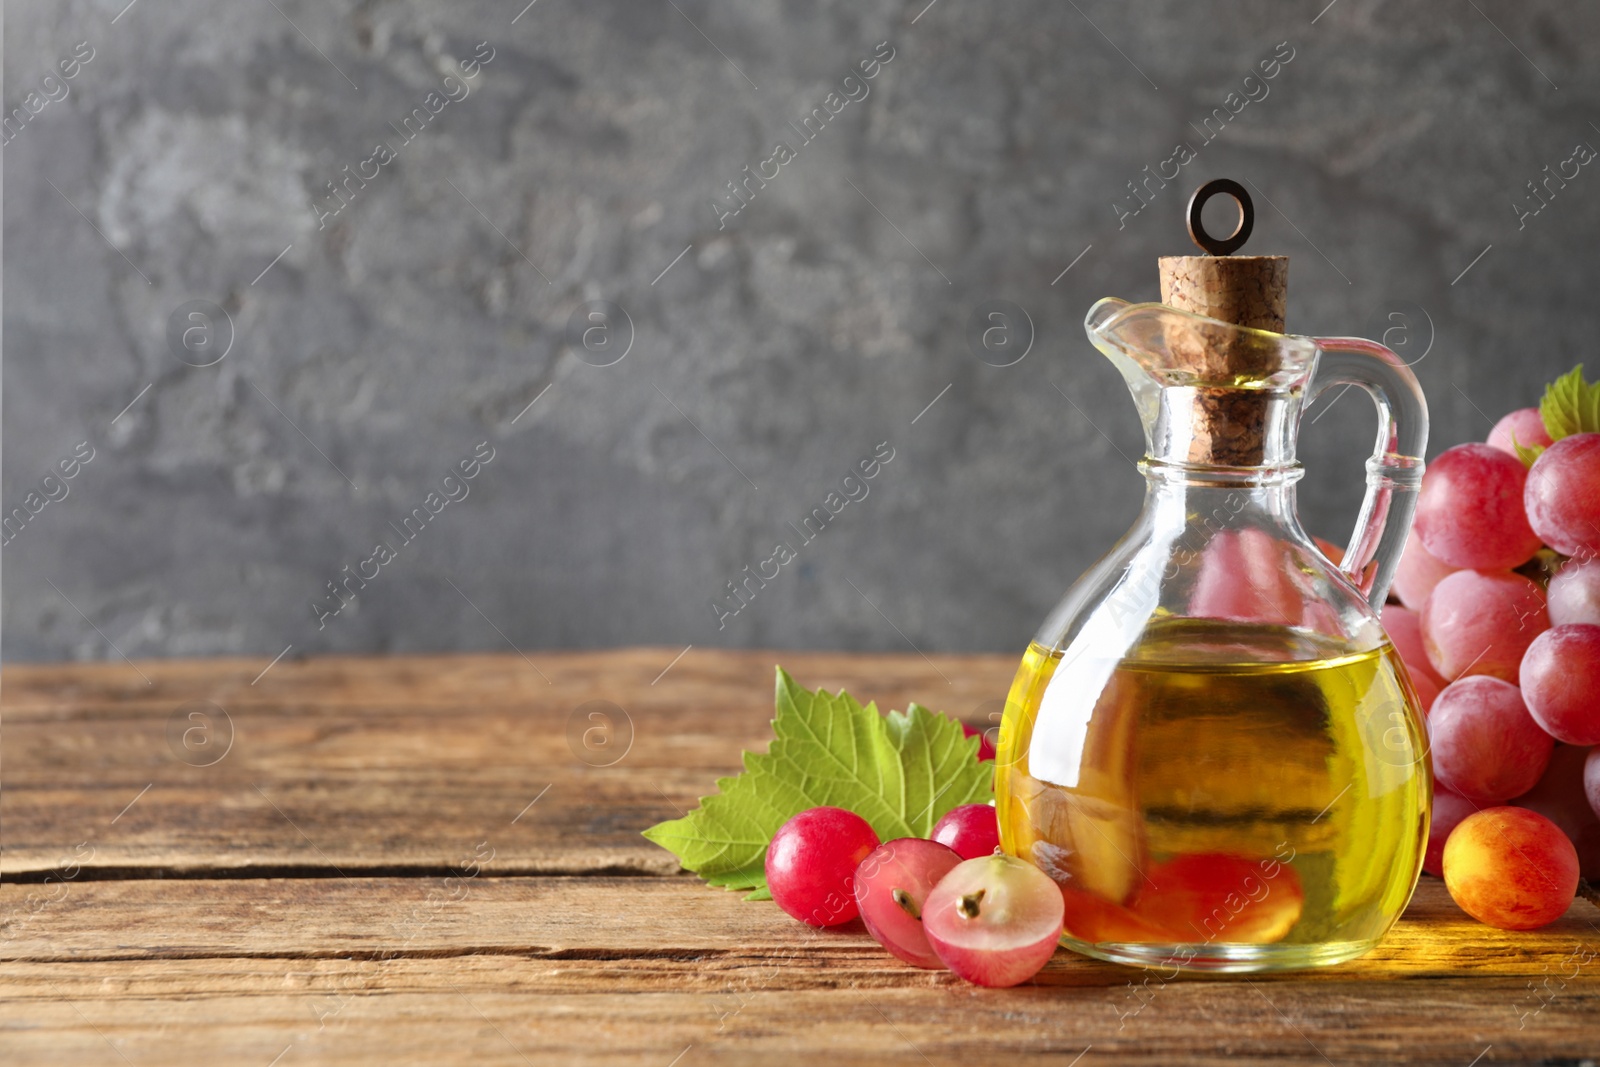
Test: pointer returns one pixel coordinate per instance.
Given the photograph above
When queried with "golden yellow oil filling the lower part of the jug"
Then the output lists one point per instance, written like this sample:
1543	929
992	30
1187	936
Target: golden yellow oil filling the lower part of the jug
1222	797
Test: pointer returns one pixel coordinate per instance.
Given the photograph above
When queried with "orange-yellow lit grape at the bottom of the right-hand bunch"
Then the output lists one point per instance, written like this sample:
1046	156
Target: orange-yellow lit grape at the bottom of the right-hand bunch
1511	869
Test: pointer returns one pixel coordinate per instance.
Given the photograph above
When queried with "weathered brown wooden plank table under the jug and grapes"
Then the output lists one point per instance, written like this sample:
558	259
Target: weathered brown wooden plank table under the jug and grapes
406	861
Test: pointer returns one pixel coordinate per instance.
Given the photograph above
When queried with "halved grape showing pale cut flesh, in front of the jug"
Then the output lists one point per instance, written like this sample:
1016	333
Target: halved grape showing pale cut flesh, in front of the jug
994	921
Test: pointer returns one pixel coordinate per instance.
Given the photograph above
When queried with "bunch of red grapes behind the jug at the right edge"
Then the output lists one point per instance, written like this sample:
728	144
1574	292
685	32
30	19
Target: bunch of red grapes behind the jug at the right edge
1500	628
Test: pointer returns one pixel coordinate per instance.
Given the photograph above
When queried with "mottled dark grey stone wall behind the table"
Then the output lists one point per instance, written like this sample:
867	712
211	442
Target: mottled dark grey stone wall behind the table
378	338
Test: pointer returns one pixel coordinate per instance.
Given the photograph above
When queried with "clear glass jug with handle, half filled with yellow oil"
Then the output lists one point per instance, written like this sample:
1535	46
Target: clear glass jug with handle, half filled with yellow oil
1212	746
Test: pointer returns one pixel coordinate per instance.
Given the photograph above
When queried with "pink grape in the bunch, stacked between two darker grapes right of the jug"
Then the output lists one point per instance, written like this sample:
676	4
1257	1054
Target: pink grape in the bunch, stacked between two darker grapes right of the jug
1482	623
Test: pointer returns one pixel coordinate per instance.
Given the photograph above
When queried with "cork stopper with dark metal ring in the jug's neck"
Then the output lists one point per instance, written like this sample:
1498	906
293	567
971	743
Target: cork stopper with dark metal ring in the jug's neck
1231	417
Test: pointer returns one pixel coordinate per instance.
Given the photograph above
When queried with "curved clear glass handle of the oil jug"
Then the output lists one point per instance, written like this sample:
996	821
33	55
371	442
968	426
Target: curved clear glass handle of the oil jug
1394	473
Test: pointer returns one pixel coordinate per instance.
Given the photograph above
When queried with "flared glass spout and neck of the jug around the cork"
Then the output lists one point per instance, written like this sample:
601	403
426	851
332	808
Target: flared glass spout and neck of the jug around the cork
1210	393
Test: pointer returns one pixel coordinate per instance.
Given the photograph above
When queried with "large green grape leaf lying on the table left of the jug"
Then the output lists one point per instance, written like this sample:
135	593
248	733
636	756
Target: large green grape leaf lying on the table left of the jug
900	772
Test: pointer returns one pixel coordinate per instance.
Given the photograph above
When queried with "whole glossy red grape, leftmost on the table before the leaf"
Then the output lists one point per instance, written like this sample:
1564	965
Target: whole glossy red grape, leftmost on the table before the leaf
812	865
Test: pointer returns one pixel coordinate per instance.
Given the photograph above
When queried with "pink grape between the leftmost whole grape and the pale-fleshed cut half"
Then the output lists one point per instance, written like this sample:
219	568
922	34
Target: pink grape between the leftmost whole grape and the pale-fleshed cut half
892	887
